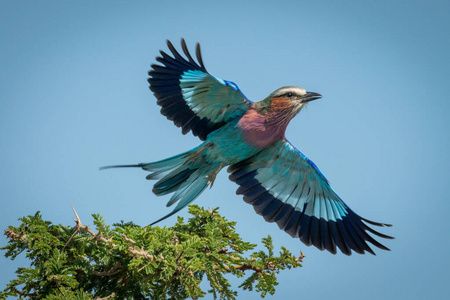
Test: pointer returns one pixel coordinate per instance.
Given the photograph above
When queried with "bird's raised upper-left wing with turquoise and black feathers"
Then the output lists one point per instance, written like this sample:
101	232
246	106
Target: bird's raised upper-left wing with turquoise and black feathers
192	98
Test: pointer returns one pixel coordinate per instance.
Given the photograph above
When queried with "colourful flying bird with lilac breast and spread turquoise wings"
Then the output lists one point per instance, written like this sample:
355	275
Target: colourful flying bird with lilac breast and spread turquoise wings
248	138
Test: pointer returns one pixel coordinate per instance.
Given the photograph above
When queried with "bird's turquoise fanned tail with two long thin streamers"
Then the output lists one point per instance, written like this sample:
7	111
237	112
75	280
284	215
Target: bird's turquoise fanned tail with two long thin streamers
186	175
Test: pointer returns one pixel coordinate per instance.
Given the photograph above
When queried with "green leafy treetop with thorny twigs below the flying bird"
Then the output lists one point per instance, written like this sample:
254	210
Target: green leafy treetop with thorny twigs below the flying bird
126	261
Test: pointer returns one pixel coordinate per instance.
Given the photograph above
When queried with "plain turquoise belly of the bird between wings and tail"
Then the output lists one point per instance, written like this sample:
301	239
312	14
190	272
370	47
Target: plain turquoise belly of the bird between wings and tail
228	145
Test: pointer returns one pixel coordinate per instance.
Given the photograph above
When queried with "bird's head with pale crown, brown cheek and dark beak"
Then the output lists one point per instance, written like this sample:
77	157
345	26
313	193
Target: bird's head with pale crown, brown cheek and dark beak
288	100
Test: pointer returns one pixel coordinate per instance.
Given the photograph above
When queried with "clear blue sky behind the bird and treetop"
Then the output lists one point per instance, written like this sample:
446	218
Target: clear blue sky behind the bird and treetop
74	97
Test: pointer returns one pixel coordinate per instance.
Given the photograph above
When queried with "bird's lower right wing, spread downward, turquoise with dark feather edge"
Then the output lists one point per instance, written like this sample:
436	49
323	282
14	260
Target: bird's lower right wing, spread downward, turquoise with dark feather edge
285	187
